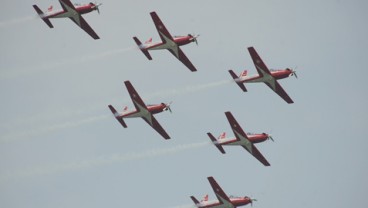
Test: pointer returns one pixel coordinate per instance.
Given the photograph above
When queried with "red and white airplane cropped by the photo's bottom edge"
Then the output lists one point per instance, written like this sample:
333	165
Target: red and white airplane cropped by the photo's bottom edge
223	201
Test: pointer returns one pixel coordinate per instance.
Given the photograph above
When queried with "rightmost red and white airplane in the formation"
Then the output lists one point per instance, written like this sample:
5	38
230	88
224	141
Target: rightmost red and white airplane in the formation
269	77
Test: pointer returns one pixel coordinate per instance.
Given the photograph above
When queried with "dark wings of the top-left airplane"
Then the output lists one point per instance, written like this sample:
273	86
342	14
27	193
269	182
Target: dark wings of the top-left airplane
78	19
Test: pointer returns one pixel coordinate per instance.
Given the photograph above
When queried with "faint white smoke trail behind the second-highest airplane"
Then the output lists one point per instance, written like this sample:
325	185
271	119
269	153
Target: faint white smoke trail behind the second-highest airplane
14	73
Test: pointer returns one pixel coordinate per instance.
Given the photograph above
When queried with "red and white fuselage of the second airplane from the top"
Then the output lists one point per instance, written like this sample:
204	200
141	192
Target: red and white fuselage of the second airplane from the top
178	40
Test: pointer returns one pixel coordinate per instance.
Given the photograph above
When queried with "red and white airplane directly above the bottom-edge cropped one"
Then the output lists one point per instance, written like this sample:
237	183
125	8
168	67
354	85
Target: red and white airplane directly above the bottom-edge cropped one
247	141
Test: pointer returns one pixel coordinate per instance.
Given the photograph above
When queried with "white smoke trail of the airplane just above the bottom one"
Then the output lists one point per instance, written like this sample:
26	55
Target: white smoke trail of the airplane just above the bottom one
101	161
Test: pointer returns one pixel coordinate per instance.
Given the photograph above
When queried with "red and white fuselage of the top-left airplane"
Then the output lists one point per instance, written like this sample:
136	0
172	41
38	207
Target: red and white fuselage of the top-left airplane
80	9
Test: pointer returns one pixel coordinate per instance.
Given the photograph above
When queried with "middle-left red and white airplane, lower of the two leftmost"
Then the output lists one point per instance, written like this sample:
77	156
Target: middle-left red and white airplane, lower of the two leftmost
142	110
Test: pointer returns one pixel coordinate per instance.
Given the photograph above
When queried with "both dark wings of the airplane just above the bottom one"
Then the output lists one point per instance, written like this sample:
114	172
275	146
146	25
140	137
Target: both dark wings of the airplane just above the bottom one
242	136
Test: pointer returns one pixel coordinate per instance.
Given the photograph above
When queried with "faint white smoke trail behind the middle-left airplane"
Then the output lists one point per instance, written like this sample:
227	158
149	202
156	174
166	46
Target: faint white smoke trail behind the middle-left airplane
21	135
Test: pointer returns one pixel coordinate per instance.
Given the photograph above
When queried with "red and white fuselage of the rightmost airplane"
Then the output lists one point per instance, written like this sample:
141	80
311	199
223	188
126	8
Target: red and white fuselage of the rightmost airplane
275	74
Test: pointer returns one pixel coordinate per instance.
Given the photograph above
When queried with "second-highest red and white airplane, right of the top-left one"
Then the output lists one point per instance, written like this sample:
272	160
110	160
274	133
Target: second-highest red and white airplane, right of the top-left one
169	42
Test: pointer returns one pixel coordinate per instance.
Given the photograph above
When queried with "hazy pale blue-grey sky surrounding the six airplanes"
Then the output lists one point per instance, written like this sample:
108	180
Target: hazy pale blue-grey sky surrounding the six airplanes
61	147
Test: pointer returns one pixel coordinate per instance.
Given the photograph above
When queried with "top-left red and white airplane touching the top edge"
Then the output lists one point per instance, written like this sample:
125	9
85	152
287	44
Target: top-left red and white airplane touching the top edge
71	11
